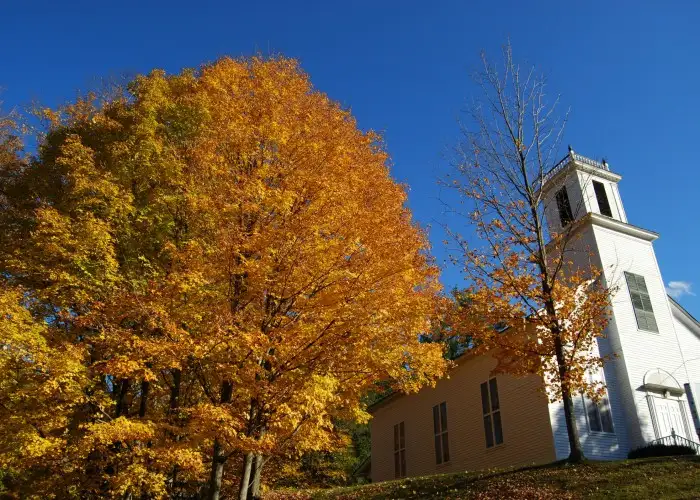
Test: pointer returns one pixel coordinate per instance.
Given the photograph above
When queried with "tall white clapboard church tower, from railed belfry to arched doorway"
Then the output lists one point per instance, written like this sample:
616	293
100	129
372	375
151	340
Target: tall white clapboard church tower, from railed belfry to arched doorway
581	195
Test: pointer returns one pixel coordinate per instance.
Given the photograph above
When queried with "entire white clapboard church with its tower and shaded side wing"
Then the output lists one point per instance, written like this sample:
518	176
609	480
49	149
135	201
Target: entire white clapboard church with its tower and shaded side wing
475	420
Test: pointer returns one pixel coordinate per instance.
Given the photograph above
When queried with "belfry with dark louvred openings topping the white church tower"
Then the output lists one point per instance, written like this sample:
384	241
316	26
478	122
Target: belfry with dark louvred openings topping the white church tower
577	186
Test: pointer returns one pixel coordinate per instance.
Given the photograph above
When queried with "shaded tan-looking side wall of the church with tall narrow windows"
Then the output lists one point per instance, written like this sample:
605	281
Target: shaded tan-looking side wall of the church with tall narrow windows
526	432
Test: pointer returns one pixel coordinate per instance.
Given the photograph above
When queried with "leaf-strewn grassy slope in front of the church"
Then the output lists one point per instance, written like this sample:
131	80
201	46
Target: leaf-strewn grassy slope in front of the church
657	478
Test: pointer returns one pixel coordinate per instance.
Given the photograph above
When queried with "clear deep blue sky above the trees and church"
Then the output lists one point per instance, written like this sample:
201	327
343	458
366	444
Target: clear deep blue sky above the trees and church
628	70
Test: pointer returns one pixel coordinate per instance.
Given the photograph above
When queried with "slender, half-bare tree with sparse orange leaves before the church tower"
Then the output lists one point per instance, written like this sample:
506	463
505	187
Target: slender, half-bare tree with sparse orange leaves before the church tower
534	298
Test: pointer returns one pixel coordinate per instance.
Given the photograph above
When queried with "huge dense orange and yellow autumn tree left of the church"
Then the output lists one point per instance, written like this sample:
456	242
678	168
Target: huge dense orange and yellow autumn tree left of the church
231	257
